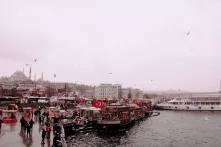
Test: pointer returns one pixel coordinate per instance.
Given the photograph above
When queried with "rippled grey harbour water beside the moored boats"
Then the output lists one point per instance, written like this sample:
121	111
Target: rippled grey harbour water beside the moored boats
169	129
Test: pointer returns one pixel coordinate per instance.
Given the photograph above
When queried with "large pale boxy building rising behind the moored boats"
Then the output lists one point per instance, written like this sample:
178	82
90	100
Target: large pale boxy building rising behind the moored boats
108	91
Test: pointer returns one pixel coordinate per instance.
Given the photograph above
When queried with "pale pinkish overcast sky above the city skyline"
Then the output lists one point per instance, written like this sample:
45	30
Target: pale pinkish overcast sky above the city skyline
148	44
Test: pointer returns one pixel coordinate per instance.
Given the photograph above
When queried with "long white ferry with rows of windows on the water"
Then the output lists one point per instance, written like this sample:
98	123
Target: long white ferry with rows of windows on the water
207	103
